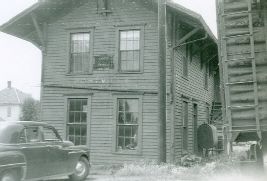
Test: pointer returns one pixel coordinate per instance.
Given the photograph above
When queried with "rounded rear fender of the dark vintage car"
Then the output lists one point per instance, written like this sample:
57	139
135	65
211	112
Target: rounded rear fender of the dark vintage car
13	160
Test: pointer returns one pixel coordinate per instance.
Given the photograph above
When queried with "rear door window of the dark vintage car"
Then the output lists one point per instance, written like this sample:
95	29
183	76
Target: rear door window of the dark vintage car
30	135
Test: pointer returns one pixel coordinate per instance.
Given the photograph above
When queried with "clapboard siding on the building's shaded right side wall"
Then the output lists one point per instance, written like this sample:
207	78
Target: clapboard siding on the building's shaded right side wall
192	90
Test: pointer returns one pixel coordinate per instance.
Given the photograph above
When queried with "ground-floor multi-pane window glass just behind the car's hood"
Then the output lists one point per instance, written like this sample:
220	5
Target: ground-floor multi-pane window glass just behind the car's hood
77	121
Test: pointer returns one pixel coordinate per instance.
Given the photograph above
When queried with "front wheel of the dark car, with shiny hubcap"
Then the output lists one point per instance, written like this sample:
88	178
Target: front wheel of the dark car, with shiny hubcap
81	170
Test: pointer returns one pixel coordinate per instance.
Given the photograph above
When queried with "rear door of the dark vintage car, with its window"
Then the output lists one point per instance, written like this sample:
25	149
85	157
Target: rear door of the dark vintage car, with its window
35	152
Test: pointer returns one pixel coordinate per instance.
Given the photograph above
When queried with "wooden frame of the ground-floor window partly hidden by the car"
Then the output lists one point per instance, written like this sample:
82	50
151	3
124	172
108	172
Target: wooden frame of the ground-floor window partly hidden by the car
88	122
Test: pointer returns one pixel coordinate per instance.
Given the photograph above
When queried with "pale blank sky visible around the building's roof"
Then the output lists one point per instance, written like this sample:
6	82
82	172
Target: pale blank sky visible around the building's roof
20	61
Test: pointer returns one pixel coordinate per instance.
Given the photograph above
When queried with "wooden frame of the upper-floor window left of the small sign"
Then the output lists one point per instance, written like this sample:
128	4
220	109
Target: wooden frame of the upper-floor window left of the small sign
91	54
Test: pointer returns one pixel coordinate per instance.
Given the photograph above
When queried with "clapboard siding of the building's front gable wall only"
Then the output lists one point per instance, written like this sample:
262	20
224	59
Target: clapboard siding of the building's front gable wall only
124	13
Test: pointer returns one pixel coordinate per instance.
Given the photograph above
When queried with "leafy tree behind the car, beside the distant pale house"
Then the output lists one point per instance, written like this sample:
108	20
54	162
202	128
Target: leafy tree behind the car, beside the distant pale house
30	110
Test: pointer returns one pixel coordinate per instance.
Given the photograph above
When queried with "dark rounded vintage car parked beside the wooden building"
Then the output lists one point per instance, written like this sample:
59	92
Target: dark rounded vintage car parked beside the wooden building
35	151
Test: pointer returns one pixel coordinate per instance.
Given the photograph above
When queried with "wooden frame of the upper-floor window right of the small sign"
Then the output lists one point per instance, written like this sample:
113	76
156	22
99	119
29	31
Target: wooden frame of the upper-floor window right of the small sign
141	28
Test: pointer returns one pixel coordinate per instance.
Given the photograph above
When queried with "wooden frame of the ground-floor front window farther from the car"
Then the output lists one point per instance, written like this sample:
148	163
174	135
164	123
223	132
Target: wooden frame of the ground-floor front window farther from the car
138	151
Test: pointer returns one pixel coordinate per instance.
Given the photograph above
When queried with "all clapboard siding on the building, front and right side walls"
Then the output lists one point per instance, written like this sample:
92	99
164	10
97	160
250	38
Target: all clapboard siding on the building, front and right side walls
101	85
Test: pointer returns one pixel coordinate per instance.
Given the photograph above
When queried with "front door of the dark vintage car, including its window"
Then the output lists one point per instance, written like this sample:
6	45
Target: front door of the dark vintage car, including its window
58	156
